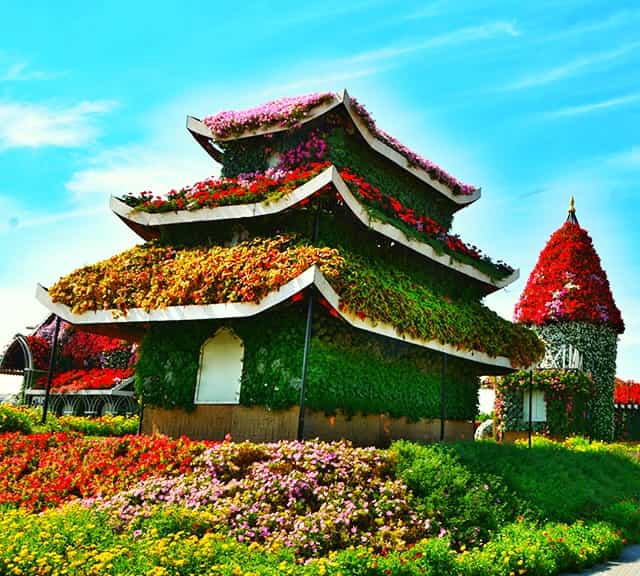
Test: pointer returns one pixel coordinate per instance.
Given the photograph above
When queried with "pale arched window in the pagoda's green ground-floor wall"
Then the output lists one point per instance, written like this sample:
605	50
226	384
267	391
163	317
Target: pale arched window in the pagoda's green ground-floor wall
220	369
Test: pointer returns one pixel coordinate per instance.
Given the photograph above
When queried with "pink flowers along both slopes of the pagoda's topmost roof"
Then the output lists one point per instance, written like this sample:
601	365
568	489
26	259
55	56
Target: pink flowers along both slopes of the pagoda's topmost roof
288	112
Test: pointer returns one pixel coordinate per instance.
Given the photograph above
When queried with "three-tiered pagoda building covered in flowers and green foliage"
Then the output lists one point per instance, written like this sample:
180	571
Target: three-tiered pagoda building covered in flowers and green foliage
319	269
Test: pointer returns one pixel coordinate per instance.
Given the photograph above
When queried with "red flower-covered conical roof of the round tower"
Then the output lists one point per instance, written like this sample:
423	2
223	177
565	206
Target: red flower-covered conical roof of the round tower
568	284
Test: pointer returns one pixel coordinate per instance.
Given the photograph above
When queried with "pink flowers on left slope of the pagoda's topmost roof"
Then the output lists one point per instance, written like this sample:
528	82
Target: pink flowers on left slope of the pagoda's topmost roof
284	112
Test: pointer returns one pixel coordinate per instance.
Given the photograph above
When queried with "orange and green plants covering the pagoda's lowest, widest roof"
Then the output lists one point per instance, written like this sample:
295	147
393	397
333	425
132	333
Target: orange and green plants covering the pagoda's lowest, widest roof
152	276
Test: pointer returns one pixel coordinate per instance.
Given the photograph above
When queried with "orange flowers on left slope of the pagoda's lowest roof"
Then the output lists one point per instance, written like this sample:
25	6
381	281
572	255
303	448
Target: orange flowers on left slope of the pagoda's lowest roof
152	276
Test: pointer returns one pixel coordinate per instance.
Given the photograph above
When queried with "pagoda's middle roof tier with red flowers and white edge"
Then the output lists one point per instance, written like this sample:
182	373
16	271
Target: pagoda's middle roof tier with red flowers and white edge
383	214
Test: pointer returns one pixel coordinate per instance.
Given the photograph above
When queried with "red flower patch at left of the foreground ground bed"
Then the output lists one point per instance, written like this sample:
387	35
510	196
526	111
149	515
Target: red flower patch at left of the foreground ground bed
41	471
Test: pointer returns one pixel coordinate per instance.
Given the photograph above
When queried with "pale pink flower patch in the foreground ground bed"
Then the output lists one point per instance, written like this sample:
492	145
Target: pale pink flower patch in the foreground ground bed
311	497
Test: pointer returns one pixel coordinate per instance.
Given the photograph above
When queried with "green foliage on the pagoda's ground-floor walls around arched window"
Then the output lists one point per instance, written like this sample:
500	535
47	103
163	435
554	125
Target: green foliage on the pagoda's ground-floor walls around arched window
349	370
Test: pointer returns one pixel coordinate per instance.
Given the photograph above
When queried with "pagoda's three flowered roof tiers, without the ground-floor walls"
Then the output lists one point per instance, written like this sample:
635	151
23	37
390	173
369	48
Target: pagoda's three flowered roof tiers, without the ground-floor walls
380	252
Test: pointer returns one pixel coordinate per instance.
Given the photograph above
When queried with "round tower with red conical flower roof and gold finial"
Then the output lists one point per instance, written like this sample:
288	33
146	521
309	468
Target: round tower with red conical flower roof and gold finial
568	301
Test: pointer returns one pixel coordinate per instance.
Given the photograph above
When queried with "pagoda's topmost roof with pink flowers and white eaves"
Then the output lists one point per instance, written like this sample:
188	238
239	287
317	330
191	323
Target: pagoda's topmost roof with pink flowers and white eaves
286	113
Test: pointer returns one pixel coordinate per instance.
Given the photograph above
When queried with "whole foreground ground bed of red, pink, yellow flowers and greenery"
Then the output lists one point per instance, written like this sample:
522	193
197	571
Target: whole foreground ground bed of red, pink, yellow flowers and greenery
155	506
